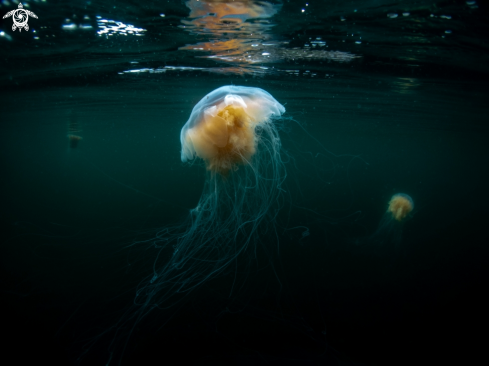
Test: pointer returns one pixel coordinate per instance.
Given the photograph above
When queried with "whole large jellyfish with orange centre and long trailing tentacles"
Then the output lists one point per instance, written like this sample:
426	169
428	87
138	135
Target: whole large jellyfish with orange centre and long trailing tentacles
233	130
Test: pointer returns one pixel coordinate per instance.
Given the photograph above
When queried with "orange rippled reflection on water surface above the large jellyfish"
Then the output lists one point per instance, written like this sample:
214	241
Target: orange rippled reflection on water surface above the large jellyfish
240	33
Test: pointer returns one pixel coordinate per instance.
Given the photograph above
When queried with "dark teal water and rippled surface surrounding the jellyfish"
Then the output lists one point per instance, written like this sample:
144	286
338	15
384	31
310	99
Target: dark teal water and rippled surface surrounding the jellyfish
382	97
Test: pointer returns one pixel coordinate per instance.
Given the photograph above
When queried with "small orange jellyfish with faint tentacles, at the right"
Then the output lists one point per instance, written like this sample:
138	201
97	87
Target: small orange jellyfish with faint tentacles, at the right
387	238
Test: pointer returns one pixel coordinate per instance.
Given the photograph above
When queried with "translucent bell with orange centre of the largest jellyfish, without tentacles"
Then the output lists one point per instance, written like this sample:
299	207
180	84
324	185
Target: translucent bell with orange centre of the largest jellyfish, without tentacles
222	127
